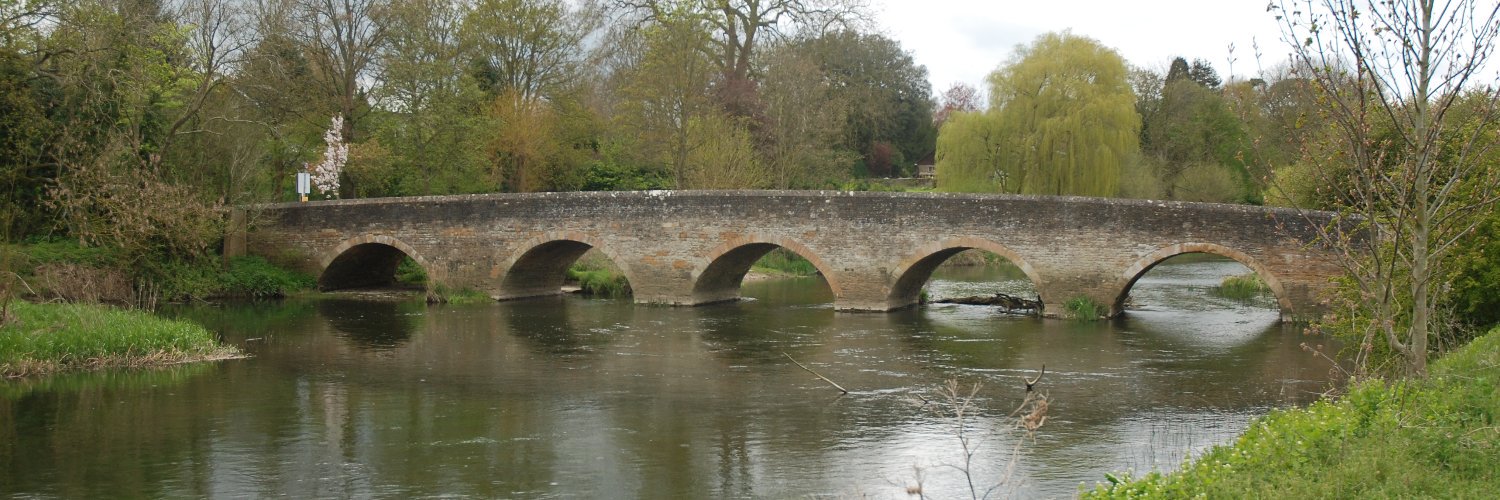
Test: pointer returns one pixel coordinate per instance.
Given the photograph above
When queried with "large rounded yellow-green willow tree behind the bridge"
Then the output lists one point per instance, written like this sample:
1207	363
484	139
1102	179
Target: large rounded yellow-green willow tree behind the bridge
1064	121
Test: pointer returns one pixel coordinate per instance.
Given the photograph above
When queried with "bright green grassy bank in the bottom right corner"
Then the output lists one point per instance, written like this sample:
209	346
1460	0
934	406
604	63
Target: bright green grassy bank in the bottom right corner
1438	438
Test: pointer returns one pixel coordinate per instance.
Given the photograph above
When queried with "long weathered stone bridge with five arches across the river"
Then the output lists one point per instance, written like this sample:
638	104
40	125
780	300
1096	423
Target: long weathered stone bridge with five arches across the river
875	250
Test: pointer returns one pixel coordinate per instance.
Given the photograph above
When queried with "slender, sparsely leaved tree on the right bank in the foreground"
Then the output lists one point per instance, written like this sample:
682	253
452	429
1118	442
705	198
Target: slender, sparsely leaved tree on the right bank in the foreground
1408	179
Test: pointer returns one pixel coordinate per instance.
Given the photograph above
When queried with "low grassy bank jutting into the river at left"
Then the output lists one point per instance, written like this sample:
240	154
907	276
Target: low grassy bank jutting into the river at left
44	339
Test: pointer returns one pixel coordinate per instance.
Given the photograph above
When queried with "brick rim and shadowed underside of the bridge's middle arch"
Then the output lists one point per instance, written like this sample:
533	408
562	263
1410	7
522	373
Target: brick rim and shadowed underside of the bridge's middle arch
727	267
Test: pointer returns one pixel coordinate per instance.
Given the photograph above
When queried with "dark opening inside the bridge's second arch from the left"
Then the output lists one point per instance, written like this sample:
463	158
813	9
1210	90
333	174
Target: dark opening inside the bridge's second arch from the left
560	267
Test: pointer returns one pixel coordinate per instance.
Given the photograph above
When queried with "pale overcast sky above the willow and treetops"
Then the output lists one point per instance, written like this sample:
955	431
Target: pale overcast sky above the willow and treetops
962	41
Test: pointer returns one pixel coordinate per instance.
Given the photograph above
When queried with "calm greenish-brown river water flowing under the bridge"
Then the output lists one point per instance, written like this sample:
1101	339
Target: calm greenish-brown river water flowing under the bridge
587	399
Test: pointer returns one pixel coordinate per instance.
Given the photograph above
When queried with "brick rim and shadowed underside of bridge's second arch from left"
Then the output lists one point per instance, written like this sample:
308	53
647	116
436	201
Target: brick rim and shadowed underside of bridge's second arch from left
541	268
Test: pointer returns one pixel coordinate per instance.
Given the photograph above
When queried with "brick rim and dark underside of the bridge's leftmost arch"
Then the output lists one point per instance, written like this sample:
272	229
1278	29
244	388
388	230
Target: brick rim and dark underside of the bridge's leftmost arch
367	261
